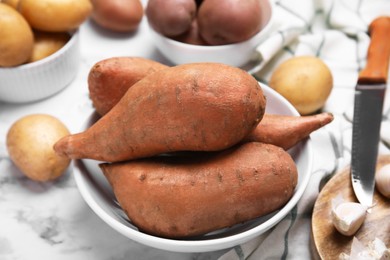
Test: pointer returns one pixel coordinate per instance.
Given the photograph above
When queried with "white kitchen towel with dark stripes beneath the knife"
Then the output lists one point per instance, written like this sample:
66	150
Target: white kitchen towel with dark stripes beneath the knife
336	32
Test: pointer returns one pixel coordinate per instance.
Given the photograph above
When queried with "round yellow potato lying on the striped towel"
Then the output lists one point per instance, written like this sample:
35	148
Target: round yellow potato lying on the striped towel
305	81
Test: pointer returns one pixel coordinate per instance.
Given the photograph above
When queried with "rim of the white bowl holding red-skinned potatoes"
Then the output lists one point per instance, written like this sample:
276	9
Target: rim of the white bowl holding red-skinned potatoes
258	35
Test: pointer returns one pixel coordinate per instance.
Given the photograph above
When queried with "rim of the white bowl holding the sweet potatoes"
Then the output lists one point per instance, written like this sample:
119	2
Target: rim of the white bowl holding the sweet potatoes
204	245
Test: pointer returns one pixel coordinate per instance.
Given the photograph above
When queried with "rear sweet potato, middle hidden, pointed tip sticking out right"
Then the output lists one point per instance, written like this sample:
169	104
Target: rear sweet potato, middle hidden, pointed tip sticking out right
109	80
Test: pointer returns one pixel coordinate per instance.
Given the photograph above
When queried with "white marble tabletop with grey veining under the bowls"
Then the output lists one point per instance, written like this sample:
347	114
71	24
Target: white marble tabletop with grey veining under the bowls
51	220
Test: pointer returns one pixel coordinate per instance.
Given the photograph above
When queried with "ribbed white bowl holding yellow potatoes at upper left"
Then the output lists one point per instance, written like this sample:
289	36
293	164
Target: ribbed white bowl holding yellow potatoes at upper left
43	78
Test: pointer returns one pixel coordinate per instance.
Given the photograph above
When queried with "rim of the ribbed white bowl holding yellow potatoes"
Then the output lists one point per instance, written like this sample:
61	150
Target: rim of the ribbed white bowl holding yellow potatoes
72	40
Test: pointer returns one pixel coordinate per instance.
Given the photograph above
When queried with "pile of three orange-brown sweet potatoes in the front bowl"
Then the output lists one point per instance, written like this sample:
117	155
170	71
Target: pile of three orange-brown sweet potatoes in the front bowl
188	149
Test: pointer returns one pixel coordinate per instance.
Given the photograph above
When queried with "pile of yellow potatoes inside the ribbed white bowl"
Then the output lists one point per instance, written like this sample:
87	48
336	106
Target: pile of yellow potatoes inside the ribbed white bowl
32	30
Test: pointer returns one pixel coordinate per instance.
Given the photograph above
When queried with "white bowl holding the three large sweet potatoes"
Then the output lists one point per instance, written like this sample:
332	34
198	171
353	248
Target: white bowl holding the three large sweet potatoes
98	194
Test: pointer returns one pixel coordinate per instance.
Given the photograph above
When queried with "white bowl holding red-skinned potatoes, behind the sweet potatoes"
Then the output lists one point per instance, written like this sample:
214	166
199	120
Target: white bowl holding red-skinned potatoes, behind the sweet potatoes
237	54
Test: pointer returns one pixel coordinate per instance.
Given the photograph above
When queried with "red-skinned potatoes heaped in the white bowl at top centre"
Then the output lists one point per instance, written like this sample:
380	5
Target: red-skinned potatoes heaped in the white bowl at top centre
211	22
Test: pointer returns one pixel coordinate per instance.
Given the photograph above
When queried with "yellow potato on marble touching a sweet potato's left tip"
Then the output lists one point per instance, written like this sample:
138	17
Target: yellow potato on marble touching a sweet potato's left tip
30	143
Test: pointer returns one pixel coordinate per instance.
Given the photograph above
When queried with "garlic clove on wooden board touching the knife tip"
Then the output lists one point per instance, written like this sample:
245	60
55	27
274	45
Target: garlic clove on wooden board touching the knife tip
347	217
